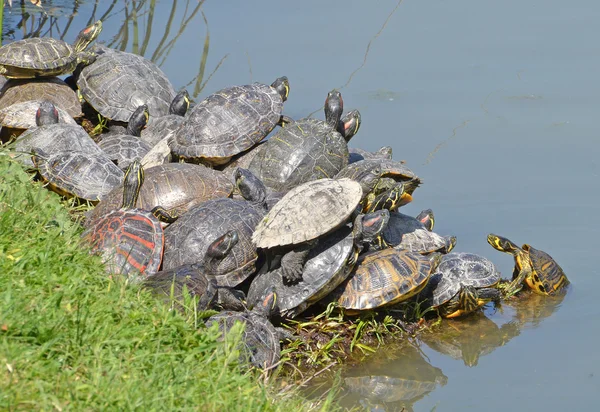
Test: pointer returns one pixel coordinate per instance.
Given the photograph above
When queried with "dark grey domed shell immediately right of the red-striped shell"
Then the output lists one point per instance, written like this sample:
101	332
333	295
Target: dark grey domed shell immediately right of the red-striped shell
187	240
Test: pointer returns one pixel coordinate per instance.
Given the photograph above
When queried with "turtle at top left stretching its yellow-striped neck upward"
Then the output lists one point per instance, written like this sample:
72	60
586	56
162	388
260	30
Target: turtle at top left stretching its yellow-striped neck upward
45	56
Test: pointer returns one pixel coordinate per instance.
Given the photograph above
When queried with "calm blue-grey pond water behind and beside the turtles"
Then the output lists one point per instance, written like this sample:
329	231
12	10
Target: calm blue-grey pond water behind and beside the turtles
493	105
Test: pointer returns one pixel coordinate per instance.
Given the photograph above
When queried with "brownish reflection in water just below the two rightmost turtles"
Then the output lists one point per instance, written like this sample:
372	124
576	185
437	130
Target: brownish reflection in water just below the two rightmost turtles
470	338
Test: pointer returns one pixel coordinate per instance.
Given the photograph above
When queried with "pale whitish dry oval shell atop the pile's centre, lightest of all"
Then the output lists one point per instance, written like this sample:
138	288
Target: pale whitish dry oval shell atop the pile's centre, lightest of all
307	212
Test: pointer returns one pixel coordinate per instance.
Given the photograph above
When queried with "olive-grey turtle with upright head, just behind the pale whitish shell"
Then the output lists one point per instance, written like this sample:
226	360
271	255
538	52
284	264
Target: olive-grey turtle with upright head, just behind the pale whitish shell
305	150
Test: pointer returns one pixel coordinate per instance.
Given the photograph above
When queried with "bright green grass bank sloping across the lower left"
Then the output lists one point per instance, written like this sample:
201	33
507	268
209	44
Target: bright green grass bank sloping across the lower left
71	338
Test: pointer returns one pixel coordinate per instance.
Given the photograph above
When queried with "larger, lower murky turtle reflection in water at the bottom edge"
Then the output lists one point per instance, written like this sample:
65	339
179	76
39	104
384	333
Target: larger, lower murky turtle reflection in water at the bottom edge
397	377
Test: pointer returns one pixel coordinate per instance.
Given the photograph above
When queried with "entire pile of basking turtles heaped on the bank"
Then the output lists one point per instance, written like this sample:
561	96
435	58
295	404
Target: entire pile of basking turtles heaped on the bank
200	200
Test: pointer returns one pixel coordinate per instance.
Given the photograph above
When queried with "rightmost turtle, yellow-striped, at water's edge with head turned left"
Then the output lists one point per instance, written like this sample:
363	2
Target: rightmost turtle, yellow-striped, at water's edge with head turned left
534	267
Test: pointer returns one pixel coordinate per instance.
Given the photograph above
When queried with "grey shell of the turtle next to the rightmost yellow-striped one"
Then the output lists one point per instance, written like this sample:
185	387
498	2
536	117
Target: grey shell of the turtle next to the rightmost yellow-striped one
457	269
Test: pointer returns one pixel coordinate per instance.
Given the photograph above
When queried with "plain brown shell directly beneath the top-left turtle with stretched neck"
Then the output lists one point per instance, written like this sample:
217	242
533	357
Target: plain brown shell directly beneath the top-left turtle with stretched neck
51	89
